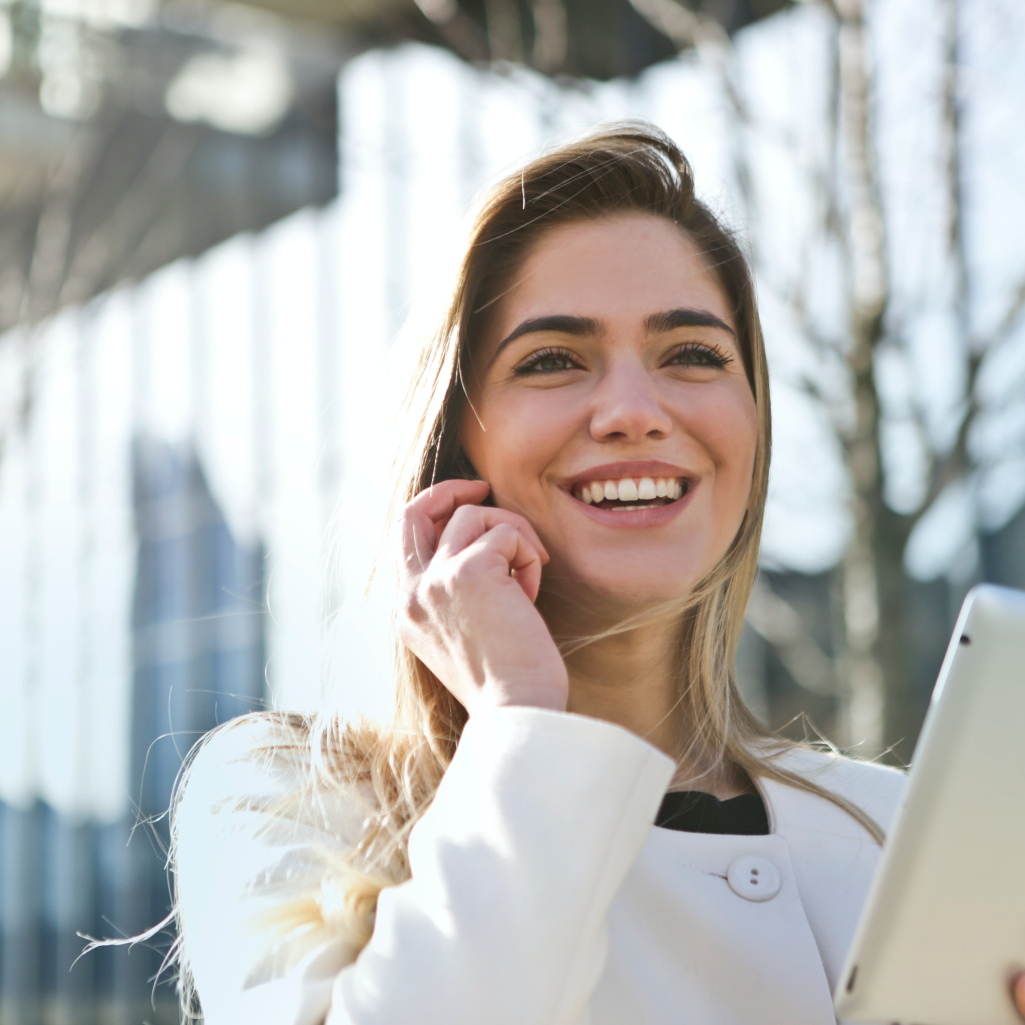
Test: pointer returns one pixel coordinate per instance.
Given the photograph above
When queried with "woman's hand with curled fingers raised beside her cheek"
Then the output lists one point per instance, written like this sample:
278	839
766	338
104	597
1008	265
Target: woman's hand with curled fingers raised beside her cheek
470	576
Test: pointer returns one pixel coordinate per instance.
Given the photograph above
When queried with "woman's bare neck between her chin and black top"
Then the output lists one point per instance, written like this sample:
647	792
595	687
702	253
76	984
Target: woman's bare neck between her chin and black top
633	679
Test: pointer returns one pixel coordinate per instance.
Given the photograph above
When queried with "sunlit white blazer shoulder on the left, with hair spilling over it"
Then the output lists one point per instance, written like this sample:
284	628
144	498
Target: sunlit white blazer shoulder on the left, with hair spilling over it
257	837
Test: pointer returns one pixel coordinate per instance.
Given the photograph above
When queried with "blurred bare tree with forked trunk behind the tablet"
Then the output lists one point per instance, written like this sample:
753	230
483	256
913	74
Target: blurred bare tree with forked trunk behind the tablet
875	671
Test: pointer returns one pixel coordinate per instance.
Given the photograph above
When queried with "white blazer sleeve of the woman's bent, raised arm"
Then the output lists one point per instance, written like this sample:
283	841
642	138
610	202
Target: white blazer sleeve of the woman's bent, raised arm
514	869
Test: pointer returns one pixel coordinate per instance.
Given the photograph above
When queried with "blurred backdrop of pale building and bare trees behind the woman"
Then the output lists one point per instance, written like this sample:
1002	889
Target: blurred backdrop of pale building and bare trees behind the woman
216	220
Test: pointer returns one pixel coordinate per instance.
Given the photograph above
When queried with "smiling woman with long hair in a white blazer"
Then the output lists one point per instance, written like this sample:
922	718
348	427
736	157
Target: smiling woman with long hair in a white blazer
581	511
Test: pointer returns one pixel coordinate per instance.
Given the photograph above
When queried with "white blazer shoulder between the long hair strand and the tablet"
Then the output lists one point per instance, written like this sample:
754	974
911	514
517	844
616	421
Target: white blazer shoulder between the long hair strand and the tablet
876	789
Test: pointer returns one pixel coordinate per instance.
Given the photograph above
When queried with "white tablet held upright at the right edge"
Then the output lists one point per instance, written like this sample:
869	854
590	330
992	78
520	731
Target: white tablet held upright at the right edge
944	930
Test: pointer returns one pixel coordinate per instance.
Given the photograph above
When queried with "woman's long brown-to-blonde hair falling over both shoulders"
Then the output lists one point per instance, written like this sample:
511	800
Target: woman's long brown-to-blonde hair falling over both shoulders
396	769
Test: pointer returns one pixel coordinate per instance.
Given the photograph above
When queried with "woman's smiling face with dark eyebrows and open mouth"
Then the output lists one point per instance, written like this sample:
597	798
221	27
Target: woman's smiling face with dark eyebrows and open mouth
610	407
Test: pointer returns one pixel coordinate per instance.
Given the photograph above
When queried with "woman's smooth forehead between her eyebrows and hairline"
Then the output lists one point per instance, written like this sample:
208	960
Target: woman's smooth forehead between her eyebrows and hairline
622	268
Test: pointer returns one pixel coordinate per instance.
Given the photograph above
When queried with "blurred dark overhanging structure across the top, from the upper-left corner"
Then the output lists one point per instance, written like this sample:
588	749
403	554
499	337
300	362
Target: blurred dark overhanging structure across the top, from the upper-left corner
134	133
